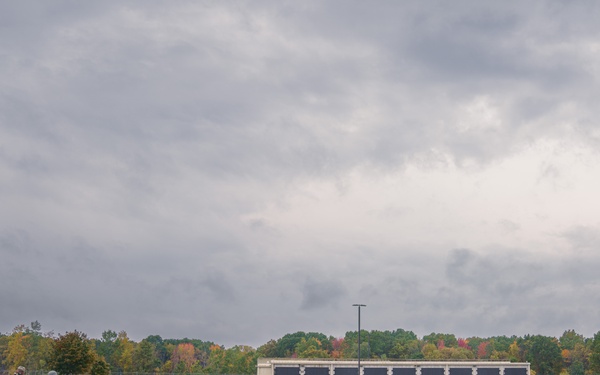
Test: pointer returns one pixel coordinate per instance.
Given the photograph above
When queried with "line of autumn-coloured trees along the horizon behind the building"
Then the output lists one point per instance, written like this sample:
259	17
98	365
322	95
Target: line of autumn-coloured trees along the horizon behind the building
75	353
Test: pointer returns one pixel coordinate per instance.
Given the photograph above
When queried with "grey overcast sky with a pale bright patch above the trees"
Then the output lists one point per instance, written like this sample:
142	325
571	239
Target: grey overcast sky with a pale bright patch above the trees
233	171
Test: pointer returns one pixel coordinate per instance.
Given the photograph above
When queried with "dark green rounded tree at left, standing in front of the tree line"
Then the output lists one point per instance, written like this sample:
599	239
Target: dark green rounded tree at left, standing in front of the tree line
72	354
